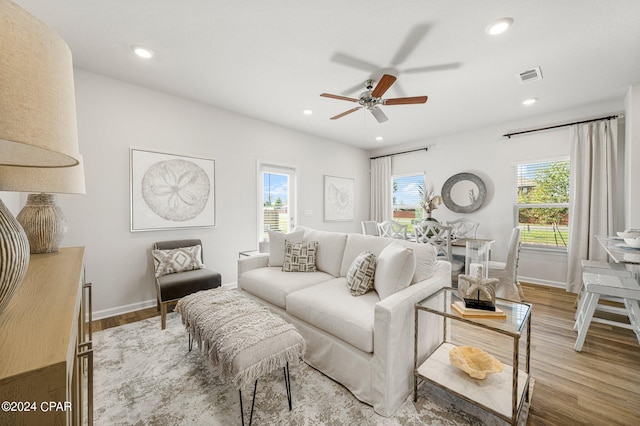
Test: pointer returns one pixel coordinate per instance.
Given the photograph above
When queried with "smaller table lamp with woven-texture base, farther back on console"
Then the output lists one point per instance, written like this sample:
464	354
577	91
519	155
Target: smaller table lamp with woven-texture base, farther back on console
41	217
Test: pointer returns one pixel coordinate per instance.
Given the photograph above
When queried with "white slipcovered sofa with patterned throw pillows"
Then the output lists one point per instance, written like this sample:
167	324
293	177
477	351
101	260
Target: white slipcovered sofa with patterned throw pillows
365	343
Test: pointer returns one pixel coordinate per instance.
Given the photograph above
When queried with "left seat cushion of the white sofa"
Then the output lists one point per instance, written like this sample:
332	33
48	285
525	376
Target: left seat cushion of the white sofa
273	285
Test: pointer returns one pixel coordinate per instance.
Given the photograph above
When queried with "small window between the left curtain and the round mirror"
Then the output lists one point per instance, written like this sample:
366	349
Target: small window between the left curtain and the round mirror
406	199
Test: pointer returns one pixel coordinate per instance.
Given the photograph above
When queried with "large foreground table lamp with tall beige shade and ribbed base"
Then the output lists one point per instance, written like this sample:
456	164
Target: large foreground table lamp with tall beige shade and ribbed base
37	120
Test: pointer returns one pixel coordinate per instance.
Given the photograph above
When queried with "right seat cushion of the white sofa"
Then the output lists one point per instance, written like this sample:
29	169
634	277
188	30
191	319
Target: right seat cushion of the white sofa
329	307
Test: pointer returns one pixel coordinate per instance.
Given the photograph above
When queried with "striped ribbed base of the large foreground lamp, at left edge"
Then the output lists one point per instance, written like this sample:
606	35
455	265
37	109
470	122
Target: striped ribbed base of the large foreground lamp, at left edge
14	255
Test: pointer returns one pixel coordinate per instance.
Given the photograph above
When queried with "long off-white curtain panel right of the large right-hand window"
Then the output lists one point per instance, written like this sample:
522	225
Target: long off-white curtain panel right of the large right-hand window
592	197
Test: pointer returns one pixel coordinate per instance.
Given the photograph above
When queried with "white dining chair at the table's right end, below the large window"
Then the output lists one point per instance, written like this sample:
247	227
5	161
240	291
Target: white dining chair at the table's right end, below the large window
507	272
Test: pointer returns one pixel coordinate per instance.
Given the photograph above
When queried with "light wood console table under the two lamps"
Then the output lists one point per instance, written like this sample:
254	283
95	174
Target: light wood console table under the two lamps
45	345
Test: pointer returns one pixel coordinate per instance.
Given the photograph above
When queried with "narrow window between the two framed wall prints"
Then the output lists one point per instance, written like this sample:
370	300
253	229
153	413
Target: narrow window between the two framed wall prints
275	199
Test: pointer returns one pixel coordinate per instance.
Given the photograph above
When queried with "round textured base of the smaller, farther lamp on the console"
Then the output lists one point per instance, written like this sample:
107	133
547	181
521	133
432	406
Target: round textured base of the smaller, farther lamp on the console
43	222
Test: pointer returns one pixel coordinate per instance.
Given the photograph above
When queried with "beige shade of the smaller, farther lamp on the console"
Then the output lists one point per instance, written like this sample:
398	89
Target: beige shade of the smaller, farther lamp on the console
63	180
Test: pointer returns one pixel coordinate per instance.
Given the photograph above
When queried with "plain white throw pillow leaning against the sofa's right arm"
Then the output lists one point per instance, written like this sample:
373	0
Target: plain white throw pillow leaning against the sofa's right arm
395	268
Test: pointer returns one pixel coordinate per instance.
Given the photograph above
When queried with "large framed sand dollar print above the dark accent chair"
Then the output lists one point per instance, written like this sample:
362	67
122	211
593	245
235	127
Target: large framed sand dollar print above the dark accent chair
170	191
